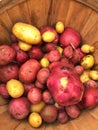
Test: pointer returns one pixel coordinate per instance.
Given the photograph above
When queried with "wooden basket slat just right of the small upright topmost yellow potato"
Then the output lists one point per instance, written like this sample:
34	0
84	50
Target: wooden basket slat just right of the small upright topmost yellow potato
76	15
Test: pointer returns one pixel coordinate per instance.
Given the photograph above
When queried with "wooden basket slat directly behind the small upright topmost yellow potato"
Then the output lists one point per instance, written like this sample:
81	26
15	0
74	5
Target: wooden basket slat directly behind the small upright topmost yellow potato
58	11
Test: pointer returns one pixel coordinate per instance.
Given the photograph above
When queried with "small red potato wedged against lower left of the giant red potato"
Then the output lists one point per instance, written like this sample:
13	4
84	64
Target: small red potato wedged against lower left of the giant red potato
47	97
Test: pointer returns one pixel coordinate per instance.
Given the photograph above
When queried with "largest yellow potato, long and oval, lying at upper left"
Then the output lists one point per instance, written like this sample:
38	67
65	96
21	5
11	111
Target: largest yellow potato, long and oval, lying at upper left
27	33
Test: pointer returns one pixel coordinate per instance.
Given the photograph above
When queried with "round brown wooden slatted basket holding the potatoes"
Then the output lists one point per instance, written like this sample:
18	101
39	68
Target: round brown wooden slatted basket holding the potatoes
79	14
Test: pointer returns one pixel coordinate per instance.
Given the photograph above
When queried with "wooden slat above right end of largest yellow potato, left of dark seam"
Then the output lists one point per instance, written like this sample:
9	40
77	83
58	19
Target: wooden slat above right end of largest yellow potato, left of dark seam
39	11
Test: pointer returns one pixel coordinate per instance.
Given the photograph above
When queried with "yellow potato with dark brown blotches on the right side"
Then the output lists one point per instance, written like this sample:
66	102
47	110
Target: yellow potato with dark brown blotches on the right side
87	61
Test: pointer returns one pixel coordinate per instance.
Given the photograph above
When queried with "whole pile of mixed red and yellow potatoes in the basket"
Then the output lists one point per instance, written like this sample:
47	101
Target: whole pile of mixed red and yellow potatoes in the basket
47	74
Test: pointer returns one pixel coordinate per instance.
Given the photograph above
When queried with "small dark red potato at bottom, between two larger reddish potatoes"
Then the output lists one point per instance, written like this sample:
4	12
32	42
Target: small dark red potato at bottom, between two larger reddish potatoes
62	117
